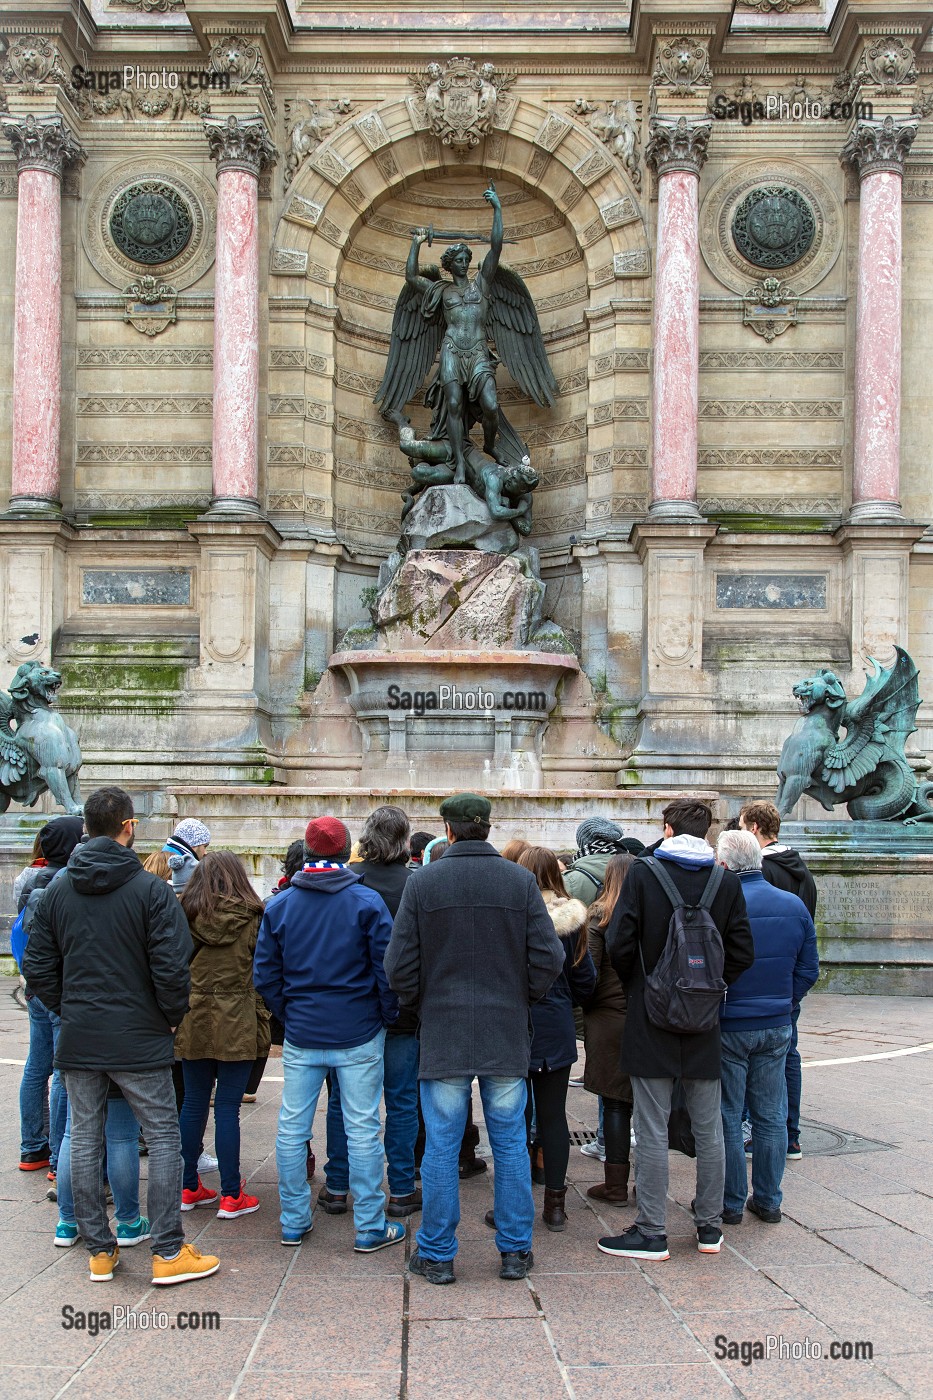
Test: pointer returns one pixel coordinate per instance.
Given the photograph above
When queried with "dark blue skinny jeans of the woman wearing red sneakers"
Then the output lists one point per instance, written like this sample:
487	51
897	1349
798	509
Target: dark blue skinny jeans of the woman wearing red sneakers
232	1077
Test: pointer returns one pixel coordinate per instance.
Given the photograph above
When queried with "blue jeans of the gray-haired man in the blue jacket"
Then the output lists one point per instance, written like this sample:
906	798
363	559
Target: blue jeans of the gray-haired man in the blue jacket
754	1072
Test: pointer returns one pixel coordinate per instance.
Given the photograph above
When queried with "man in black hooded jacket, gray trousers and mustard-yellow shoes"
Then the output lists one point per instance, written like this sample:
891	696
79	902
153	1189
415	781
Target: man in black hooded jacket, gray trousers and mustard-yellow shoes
109	951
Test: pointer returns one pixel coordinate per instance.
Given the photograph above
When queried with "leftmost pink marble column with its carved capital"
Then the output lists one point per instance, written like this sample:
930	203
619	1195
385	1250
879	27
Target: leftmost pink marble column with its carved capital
43	148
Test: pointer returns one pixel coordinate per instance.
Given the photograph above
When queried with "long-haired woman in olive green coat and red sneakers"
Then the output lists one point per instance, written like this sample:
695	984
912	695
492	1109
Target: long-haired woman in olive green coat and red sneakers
226	1028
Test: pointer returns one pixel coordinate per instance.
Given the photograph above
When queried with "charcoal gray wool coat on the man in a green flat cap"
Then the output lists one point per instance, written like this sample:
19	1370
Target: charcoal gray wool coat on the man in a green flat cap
473	947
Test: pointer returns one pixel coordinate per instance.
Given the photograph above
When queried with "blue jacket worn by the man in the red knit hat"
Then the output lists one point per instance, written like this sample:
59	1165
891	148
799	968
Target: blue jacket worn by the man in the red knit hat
319	961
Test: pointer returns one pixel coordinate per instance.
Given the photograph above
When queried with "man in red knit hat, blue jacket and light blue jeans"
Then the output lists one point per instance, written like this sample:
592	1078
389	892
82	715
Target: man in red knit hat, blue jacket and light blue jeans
319	967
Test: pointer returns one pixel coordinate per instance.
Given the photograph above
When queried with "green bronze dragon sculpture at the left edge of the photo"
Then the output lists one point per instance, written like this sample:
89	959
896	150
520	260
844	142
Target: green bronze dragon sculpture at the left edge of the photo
41	754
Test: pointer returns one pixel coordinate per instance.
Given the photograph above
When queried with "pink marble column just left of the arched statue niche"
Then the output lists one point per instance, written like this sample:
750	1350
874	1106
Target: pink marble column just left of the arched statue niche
242	148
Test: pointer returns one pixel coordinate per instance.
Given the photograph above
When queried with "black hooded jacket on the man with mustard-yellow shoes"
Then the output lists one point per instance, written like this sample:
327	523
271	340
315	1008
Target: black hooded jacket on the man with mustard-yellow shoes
109	951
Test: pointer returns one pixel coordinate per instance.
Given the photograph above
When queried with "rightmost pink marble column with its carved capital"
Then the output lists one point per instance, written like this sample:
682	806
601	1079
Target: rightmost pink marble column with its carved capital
876	150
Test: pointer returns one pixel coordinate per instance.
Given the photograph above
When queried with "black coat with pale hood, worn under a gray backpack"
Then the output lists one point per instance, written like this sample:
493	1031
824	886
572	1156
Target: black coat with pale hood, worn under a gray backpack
642	918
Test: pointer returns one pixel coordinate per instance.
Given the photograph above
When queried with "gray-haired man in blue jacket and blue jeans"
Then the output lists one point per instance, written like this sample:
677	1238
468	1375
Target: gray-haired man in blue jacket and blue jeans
756	1031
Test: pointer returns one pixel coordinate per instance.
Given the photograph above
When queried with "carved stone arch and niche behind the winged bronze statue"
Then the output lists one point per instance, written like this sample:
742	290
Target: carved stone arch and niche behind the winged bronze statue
341	243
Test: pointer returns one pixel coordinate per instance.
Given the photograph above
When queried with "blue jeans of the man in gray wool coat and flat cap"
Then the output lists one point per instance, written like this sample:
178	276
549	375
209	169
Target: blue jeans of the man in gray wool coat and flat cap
445	1104
